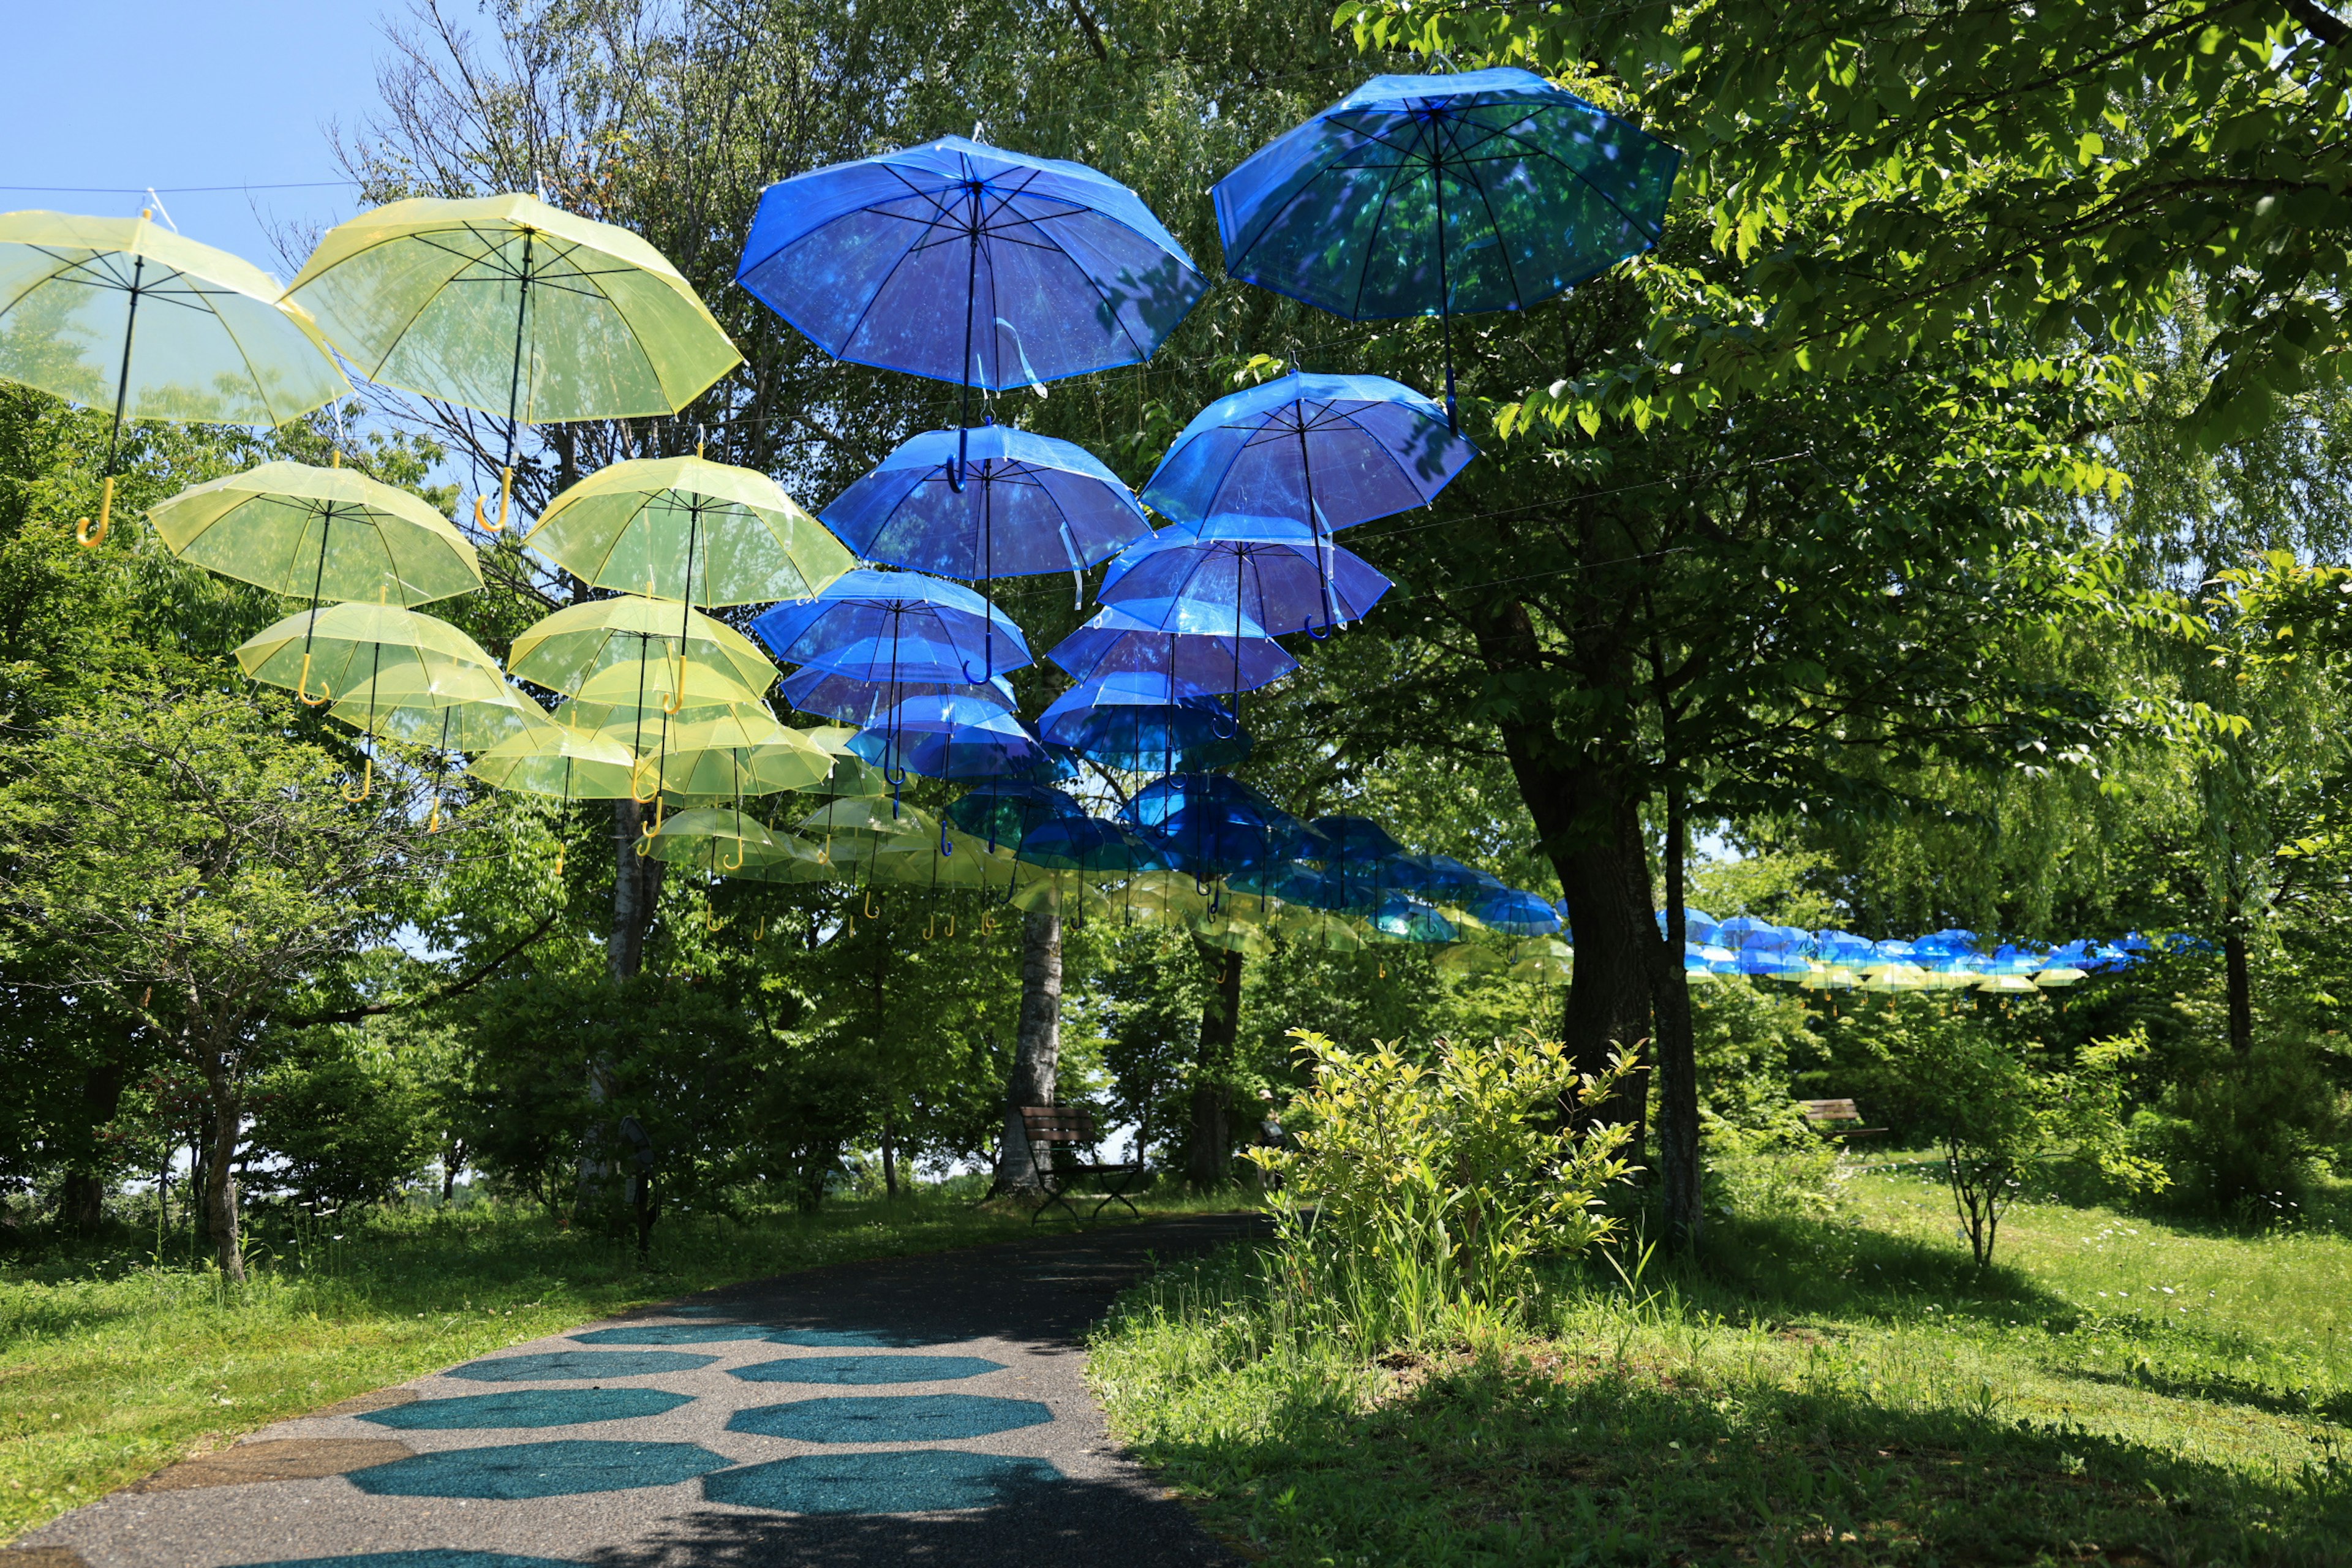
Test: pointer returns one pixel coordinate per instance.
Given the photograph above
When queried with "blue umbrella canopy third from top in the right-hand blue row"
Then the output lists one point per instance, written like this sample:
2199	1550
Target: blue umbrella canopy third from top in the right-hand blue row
1271	570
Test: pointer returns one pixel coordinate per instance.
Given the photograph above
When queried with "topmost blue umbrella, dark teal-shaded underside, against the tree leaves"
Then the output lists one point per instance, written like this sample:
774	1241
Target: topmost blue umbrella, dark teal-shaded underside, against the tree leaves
1438	194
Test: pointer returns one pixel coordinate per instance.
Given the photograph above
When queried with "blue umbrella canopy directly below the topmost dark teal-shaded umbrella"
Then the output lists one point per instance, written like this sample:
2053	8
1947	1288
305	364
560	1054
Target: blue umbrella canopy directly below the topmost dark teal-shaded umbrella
1321	450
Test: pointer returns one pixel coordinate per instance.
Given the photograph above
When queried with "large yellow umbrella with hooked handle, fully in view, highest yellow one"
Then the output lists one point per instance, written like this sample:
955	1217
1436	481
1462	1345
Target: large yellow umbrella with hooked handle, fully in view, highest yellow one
512	307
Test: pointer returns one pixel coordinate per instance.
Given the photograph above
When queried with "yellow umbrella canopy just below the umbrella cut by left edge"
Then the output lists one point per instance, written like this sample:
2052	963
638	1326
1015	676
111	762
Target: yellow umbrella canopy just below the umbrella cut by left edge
319	535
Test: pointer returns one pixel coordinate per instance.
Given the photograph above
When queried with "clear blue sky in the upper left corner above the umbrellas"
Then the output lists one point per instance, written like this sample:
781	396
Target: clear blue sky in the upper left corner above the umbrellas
192	93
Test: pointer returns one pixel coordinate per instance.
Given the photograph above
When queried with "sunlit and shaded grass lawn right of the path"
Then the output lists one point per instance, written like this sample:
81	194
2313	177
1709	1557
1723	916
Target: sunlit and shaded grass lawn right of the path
1831	1388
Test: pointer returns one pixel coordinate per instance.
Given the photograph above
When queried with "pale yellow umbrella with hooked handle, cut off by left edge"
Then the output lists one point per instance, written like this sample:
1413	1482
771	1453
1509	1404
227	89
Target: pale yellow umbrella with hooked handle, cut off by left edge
119	311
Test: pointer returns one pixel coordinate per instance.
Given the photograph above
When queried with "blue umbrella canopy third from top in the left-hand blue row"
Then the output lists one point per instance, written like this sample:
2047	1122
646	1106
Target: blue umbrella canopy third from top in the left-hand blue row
893	626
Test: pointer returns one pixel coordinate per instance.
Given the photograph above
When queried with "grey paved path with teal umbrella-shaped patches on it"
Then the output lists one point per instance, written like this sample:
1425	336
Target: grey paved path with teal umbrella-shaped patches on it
904	1412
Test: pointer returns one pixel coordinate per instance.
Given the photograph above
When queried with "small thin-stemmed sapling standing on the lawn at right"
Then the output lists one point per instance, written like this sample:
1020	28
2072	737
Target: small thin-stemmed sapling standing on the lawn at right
2000	1108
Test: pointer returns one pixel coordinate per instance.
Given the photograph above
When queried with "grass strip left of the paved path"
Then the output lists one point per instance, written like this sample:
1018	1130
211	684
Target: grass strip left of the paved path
114	1367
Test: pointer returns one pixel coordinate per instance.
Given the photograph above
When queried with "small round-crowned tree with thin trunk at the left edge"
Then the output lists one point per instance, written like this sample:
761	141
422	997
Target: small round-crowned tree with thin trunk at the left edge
187	859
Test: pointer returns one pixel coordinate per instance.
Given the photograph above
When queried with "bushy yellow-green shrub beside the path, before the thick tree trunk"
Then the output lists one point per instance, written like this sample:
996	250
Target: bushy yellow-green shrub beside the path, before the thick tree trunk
1438	1186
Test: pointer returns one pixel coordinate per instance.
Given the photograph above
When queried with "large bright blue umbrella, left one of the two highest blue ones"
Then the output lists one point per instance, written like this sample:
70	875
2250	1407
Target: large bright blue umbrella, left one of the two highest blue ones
970	264
